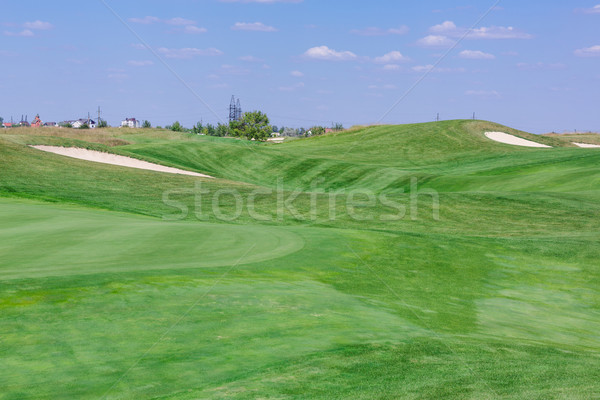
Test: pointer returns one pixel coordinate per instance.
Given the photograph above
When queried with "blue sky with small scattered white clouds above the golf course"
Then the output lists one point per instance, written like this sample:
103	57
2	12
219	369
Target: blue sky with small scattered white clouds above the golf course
533	65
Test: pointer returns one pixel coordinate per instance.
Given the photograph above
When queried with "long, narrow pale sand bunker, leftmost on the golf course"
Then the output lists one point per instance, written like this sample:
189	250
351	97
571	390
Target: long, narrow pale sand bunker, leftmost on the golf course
113	159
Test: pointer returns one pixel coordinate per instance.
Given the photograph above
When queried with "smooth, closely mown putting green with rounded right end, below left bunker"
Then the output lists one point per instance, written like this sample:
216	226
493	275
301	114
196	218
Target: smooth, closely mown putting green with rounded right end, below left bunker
41	240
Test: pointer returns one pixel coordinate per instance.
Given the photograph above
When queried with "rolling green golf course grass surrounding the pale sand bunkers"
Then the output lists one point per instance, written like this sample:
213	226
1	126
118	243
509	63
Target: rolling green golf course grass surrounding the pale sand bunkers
107	292
